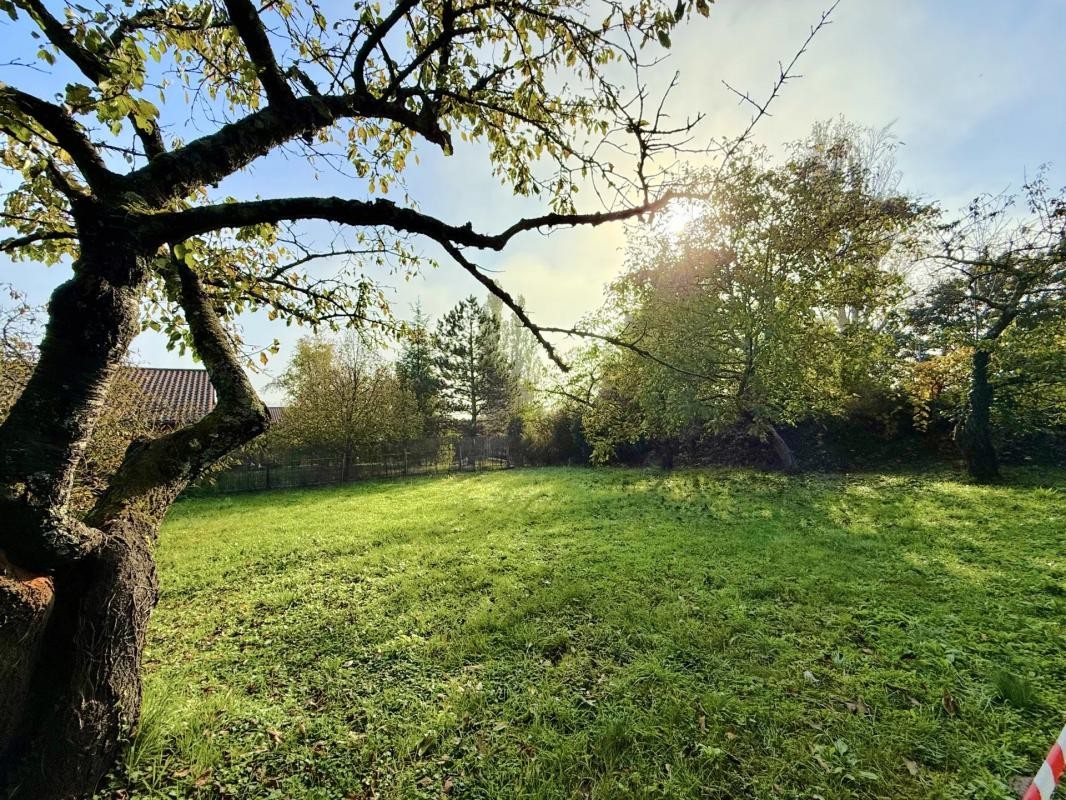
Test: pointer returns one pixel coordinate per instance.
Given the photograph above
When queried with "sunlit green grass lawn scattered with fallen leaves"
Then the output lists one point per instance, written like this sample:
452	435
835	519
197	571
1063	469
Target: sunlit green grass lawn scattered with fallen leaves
608	634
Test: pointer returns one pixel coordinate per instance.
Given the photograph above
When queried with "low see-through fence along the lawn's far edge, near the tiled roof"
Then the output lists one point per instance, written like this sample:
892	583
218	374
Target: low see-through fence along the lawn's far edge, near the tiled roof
296	469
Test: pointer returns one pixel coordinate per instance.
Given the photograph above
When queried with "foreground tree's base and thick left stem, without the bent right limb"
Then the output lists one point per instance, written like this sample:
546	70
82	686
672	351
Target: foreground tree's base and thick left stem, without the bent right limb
77	596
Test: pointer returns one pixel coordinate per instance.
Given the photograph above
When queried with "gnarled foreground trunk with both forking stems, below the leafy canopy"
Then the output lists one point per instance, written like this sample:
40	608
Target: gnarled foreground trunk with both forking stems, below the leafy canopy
76	596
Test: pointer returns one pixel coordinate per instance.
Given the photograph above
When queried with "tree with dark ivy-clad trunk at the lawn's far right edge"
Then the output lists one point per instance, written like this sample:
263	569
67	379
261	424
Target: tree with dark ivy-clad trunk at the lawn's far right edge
1002	269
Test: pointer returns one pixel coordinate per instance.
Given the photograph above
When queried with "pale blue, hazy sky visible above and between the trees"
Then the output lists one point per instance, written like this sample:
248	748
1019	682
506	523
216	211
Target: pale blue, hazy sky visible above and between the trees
973	90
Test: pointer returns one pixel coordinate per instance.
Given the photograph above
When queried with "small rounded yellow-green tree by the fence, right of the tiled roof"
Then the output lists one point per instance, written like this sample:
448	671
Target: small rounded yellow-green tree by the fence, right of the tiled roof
345	398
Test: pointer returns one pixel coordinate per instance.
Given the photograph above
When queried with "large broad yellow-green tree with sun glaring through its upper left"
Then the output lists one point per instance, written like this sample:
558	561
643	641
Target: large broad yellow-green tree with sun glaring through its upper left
765	310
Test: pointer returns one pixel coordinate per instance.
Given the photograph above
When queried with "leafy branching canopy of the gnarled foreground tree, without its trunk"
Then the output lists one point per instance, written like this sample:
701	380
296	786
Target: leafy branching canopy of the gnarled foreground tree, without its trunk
540	86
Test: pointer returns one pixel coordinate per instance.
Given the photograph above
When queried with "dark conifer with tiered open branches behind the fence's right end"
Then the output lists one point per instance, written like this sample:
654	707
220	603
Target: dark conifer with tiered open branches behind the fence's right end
476	380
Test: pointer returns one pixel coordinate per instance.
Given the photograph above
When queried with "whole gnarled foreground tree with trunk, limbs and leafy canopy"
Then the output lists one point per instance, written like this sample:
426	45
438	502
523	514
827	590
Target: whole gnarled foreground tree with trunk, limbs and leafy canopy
101	181
